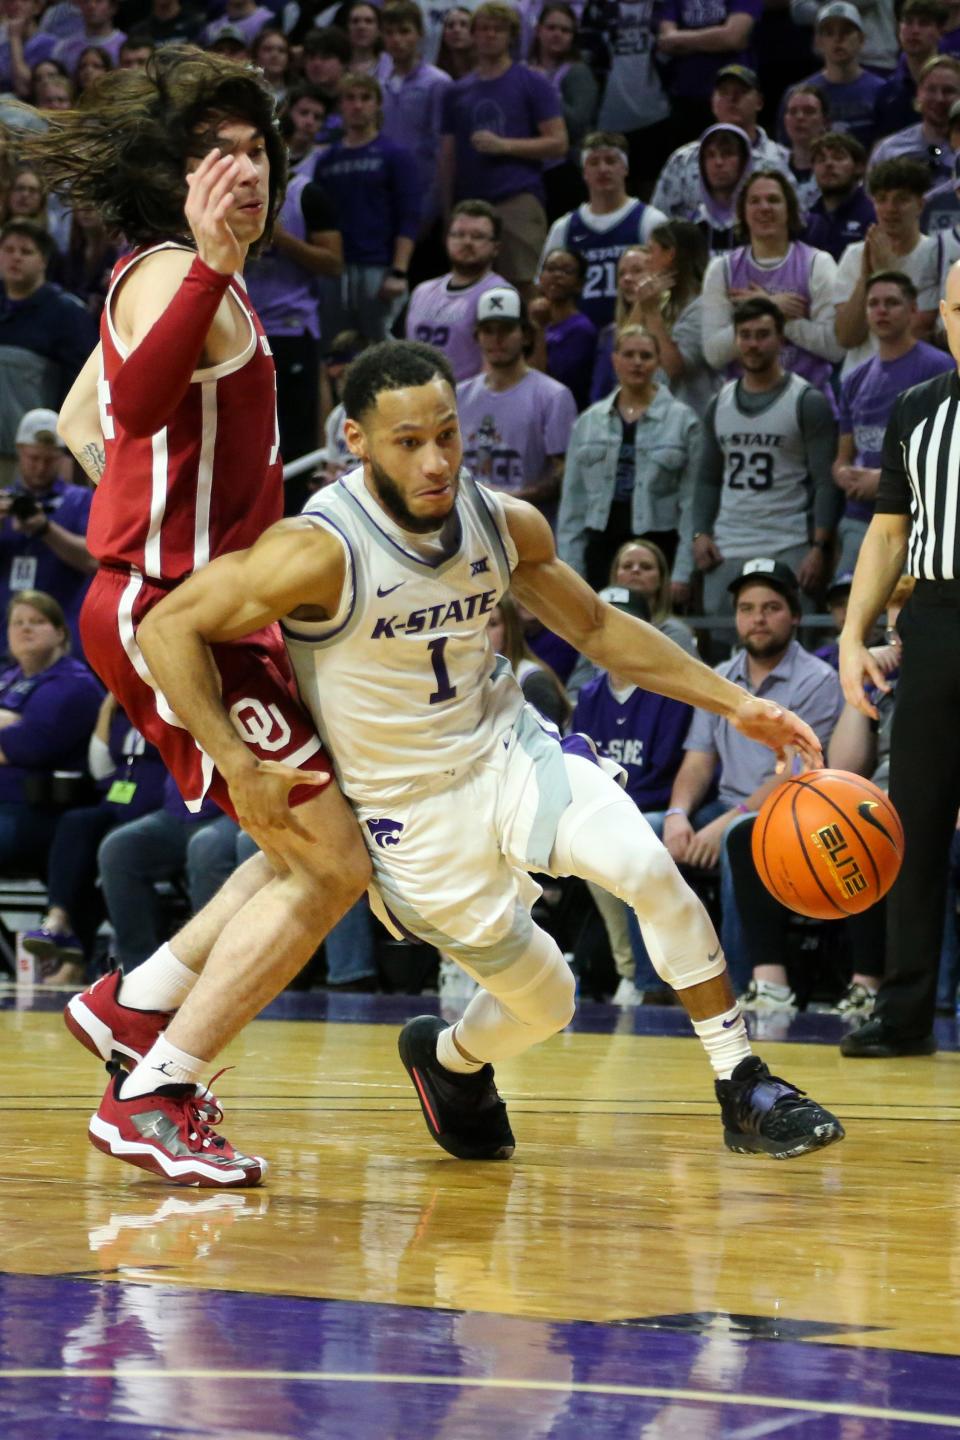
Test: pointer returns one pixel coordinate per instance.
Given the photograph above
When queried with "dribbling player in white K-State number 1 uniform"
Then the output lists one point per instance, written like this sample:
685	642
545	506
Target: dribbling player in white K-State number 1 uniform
460	788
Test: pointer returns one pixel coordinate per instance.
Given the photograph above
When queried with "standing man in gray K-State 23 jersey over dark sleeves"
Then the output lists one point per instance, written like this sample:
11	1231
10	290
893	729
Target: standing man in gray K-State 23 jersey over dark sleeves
765	485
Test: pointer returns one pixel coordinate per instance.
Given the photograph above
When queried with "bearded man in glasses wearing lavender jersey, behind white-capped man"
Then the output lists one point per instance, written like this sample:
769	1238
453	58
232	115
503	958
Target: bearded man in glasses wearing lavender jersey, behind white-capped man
443	313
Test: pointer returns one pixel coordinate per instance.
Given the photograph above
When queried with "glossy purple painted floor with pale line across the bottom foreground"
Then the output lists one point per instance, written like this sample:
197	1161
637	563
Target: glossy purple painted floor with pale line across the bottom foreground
57	1324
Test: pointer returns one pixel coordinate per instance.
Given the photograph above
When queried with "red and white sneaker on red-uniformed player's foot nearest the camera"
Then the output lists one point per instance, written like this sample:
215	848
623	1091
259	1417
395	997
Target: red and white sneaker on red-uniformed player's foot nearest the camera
171	1134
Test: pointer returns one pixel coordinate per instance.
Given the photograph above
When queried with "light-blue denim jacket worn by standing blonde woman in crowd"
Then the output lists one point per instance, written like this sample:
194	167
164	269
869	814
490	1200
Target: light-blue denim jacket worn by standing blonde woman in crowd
667	459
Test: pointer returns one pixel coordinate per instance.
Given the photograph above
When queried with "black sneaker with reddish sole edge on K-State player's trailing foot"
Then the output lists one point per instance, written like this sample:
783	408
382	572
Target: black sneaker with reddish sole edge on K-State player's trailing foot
464	1114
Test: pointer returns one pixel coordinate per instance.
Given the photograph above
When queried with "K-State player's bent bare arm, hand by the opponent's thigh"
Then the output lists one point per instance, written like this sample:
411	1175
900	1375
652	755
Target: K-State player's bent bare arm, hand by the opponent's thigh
293	568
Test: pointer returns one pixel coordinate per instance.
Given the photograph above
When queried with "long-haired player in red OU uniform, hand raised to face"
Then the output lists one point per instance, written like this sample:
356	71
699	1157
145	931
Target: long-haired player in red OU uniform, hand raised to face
175	417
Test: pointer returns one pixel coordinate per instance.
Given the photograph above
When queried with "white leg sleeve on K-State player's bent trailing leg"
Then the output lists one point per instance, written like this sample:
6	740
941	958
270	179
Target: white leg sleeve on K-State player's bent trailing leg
519	1007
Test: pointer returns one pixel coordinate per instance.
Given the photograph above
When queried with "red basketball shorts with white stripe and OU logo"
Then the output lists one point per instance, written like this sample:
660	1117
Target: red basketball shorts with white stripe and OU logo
257	689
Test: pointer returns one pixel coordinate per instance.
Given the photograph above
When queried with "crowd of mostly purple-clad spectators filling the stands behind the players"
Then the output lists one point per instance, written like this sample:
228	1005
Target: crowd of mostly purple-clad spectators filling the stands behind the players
683	257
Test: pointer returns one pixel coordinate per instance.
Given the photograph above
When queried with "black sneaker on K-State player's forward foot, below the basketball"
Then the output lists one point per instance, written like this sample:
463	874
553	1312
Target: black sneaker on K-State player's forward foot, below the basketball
764	1114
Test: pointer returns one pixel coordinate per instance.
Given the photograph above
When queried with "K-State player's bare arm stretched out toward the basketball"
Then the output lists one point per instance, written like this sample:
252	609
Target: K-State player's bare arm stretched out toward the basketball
617	642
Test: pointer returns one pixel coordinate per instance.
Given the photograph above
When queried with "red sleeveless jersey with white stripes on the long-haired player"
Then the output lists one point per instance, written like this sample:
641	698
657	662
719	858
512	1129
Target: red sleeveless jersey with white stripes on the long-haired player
209	482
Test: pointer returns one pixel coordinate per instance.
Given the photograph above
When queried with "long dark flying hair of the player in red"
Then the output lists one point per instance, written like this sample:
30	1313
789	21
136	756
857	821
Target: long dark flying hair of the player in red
124	150
